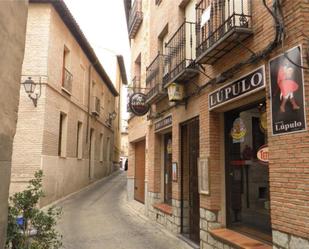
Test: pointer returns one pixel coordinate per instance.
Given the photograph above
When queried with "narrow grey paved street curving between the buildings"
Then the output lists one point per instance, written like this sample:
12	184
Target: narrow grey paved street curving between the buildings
99	217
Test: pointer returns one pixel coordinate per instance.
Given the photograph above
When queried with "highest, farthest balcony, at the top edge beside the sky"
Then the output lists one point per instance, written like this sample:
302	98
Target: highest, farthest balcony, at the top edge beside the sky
135	18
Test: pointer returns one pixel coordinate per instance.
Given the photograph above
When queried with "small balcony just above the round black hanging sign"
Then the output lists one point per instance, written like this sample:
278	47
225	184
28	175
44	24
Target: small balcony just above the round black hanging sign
154	80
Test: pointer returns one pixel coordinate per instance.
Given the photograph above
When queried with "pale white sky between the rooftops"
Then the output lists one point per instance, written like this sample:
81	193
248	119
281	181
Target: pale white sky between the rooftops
104	24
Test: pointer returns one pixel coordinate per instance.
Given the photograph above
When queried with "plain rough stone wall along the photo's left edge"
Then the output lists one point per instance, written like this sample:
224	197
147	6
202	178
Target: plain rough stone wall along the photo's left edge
13	18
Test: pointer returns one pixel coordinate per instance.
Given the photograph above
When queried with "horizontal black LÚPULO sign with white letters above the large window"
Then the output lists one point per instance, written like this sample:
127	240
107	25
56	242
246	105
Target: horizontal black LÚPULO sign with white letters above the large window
248	84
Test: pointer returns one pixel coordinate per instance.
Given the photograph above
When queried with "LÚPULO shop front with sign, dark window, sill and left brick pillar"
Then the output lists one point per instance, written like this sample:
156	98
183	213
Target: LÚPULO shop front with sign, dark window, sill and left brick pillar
233	170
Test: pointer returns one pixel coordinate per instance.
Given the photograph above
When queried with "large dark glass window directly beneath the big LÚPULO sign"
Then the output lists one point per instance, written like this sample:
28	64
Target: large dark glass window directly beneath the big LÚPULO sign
247	173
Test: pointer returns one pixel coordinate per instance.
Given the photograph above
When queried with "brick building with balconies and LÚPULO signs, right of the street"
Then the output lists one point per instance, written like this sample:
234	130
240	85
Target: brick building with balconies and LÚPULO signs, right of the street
221	156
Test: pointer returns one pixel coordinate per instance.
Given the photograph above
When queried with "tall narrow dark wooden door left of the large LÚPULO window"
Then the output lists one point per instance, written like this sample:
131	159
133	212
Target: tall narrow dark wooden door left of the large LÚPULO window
194	198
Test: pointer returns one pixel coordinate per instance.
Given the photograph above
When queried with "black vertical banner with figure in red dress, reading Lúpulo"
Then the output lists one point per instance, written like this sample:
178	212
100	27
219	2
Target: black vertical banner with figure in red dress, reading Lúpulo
287	93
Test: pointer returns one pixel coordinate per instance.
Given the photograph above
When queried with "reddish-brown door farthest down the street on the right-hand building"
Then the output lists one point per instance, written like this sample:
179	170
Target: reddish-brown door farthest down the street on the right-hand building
139	183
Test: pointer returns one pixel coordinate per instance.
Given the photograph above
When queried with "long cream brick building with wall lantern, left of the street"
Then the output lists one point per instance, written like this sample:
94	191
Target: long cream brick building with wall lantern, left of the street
72	133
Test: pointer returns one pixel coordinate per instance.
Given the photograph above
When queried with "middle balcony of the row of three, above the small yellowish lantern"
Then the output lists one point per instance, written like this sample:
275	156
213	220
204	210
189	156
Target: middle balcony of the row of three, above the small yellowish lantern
181	55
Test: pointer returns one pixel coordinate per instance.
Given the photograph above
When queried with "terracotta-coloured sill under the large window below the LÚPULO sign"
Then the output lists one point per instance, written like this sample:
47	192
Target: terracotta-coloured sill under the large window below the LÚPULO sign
238	240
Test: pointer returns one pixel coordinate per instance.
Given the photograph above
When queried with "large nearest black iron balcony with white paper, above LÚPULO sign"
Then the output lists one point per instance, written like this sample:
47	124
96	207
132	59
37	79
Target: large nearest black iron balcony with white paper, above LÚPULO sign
229	24
